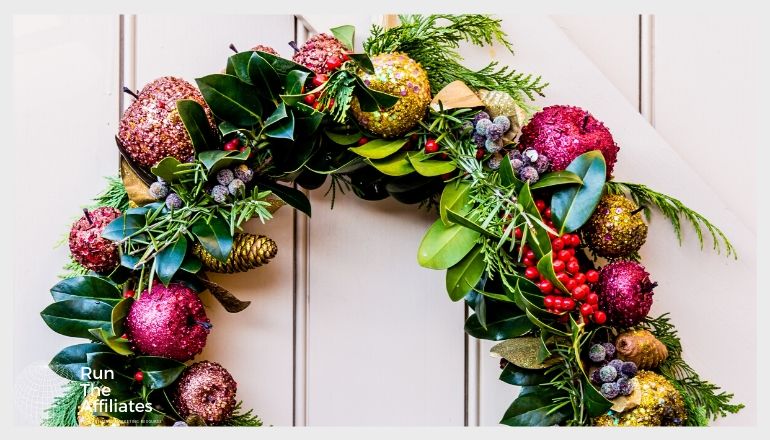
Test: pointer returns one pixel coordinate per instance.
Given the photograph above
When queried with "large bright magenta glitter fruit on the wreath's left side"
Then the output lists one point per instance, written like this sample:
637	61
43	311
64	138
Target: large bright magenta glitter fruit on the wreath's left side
169	322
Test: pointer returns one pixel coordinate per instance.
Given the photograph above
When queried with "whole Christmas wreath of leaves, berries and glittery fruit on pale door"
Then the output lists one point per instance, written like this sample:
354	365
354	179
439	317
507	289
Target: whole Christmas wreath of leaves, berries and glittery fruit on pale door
534	233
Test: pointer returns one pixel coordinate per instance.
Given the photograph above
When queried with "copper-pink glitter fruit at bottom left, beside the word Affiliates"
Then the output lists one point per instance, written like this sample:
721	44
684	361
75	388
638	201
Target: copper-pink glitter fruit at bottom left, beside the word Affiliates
206	389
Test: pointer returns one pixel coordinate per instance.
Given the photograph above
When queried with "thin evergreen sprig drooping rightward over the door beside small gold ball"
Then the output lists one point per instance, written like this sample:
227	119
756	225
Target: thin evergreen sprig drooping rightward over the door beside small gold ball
674	210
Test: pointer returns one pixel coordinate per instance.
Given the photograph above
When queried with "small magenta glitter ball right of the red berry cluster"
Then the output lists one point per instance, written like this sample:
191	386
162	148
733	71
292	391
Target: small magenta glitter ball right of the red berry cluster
625	292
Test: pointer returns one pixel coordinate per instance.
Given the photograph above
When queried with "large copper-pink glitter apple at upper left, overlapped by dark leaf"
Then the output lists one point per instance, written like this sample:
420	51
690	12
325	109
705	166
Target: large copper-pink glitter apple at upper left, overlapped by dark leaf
151	128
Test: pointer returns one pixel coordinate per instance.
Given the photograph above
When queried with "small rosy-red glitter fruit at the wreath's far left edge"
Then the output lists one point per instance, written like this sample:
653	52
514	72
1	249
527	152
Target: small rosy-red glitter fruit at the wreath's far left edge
87	245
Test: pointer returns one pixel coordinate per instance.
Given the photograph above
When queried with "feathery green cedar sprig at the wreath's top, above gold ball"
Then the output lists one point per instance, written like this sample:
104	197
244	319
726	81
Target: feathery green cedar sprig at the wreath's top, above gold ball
433	41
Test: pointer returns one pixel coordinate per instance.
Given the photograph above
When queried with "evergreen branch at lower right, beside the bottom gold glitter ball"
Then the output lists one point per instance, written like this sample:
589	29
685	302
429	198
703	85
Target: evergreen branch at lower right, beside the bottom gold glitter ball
702	399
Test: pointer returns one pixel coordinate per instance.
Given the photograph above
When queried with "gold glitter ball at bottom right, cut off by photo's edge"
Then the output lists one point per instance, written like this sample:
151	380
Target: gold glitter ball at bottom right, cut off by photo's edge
661	405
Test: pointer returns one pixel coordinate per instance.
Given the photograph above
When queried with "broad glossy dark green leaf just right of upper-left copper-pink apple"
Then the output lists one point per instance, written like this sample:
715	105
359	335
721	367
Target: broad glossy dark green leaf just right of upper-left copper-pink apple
231	99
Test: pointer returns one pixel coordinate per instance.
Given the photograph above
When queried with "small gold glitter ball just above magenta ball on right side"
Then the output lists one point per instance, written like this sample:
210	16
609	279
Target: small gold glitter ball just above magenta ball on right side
616	228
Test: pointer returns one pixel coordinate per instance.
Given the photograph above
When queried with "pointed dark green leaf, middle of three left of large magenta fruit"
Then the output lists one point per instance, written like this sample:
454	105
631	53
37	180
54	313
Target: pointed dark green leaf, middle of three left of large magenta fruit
74	317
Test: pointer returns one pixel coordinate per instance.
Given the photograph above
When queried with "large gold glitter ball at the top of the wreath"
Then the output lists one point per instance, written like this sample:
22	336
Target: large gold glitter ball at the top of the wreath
396	74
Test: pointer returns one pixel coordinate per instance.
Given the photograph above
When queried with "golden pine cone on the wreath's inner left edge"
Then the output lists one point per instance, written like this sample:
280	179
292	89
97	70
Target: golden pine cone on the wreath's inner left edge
249	251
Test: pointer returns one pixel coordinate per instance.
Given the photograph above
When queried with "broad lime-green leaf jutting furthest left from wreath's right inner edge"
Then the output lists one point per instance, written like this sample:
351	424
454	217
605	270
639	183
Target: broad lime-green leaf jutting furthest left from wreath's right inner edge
444	246
